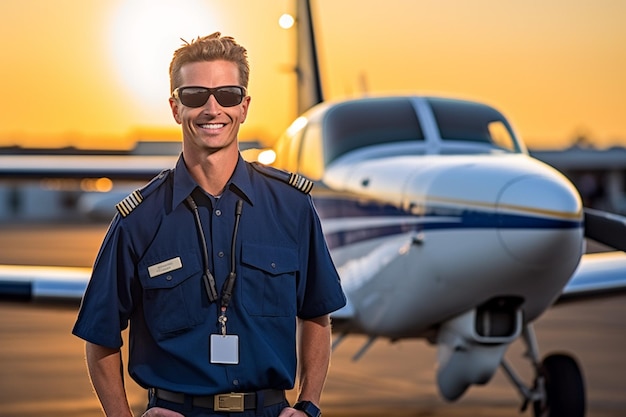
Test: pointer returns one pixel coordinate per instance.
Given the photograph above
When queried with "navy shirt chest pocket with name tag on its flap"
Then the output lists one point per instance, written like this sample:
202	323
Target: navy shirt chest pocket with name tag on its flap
171	300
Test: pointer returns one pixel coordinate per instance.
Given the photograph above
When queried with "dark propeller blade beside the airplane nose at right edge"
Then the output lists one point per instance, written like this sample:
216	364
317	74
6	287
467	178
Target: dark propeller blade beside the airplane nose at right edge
606	228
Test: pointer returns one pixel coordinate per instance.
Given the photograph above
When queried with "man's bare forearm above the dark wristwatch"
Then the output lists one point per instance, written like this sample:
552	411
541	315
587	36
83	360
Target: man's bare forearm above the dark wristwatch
314	357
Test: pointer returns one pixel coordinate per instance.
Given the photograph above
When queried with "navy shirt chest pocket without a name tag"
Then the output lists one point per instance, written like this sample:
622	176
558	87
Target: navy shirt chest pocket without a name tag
269	280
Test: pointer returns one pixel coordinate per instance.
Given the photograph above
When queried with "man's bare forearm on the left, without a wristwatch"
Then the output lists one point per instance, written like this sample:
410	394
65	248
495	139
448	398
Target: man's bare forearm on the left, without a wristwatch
105	371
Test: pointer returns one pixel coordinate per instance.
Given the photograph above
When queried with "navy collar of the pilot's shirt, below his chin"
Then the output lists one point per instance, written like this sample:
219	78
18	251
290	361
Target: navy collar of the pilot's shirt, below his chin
184	183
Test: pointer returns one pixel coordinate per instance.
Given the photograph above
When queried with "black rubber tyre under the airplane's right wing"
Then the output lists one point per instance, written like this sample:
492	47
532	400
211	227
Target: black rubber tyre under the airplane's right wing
565	388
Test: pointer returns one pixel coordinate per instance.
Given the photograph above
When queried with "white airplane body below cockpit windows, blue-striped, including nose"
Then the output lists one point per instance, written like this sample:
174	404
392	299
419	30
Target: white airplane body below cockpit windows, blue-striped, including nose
429	237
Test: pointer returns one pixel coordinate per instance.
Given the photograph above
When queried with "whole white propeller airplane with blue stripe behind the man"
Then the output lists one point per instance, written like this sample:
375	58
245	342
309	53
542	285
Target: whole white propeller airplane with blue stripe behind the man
442	227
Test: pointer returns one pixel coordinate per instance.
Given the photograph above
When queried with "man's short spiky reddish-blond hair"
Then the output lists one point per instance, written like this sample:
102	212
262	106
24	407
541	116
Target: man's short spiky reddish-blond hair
210	48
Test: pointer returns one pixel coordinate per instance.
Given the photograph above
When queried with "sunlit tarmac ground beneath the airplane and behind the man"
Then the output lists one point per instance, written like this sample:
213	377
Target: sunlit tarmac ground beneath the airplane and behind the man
42	369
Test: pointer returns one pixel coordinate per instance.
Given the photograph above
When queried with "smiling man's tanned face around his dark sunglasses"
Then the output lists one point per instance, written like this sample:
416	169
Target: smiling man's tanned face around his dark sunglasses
210	127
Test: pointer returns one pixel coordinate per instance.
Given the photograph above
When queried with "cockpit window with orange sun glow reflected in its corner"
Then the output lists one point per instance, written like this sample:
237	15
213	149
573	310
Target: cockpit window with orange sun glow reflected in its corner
472	122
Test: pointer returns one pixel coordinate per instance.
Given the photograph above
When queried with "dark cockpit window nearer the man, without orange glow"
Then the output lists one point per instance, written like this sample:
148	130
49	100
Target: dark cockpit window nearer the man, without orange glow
362	123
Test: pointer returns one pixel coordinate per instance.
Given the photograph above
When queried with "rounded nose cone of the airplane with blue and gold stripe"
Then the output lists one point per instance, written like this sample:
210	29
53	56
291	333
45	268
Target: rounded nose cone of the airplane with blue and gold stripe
540	219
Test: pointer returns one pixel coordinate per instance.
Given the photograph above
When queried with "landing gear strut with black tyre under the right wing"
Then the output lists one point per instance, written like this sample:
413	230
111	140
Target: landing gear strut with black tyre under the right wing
558	389
